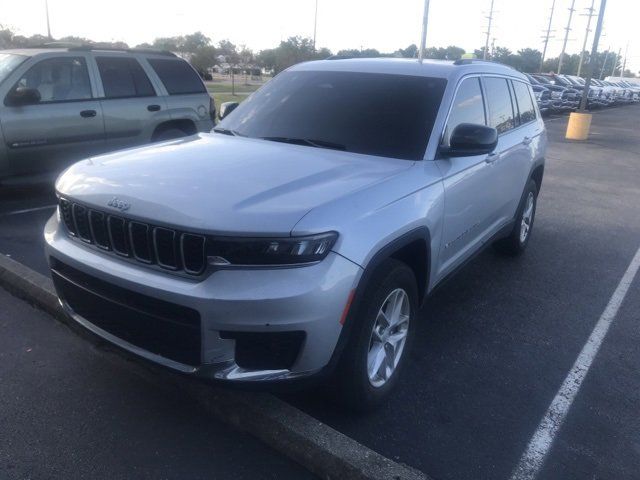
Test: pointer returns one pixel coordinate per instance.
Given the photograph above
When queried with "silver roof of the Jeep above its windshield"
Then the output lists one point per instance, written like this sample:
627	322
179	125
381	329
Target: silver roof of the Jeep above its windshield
410	66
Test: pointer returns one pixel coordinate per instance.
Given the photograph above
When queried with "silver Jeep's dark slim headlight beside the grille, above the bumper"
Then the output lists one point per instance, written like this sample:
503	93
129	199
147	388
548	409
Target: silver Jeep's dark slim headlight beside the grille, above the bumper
270	251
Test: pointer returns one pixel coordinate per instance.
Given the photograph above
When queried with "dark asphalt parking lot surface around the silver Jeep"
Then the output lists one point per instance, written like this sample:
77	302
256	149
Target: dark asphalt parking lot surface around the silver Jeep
495	345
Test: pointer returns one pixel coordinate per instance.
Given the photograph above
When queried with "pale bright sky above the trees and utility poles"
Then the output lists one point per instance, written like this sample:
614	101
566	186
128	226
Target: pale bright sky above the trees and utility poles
382	24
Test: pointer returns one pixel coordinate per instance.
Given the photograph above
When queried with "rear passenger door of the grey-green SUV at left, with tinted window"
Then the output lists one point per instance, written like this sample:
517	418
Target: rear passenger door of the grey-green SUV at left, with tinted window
132	108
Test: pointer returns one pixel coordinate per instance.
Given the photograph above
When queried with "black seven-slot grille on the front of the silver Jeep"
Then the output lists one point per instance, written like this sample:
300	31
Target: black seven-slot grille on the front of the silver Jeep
165	247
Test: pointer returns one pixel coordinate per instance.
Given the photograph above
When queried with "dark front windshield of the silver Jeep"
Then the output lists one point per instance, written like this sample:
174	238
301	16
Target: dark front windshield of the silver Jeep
370	113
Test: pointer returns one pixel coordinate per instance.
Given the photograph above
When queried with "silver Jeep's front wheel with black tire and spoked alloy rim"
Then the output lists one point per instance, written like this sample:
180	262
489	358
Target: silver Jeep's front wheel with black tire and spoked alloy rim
358	390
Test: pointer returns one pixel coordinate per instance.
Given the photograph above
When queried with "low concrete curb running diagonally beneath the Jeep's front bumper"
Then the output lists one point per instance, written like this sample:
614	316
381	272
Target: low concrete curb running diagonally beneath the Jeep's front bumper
316	446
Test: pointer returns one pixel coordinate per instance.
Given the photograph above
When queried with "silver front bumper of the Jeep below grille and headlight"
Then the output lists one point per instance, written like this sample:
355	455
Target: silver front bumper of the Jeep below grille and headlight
307	299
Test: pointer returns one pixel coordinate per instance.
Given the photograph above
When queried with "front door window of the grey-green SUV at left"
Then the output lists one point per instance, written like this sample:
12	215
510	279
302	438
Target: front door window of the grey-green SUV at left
58	79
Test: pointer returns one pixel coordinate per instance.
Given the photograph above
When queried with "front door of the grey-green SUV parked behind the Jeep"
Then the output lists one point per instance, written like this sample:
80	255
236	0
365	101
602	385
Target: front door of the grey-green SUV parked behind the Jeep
64	126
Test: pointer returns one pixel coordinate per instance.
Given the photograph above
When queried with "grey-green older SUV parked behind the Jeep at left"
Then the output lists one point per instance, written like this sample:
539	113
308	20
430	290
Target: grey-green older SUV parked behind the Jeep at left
58	105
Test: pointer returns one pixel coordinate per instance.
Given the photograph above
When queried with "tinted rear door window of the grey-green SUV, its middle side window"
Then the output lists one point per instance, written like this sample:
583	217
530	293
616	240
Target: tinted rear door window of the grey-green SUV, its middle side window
123	77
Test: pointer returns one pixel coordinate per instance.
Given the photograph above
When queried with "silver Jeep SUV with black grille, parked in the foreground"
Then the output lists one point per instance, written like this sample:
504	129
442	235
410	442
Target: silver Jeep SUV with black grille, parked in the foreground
303	234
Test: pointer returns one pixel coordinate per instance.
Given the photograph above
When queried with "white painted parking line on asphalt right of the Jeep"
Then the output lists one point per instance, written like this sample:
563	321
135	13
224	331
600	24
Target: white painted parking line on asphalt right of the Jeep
540	444
